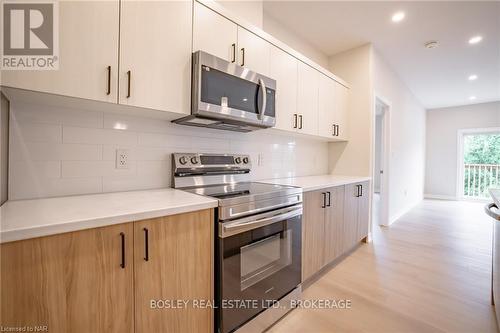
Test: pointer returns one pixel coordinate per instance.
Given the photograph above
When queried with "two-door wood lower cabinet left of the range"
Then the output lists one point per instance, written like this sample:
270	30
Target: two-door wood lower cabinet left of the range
99	280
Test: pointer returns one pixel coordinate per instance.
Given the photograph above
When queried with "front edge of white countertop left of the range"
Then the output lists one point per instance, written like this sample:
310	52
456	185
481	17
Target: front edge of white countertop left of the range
80	225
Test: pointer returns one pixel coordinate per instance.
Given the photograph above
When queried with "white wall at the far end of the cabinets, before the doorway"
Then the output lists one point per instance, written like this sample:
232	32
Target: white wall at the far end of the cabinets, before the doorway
354	157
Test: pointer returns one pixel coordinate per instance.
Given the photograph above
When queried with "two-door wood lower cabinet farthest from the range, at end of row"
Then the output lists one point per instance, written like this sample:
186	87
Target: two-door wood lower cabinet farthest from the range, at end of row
356	213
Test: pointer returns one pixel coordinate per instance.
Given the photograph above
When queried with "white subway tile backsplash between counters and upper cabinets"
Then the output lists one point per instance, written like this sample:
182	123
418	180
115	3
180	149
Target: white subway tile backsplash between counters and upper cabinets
58	151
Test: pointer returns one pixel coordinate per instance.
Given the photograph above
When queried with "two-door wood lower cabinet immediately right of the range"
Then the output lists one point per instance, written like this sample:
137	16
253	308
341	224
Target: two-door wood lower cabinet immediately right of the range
322	229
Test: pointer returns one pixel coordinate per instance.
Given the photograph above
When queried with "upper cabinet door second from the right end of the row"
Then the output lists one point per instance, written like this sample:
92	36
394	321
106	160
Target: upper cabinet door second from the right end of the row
326	106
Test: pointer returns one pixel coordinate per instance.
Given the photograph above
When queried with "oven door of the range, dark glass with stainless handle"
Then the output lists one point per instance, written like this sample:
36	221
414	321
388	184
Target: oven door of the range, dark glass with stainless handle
260	262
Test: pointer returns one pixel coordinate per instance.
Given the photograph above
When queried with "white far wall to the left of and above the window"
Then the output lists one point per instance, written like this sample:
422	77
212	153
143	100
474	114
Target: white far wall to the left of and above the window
442	129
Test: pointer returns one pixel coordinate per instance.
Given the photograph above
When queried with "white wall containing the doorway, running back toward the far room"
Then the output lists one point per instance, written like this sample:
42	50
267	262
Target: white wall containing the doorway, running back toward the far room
407	139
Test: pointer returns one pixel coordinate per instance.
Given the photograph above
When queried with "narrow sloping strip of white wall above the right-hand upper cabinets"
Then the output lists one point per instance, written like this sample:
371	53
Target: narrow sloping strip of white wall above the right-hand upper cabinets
274	28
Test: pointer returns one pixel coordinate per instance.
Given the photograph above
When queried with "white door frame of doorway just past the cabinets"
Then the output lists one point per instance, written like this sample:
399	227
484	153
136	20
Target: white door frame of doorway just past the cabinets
384	218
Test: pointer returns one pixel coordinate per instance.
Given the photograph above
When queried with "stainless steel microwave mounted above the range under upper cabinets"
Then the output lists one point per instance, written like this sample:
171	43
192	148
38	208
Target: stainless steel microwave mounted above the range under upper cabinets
227	96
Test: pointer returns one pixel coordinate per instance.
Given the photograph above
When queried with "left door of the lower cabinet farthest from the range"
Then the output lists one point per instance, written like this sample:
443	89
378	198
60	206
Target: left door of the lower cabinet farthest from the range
351	214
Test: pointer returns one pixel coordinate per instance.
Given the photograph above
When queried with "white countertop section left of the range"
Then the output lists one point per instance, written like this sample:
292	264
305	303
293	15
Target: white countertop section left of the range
25	219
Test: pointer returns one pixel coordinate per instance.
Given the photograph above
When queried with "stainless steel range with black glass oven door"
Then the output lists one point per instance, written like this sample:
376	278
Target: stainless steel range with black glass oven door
258	248
